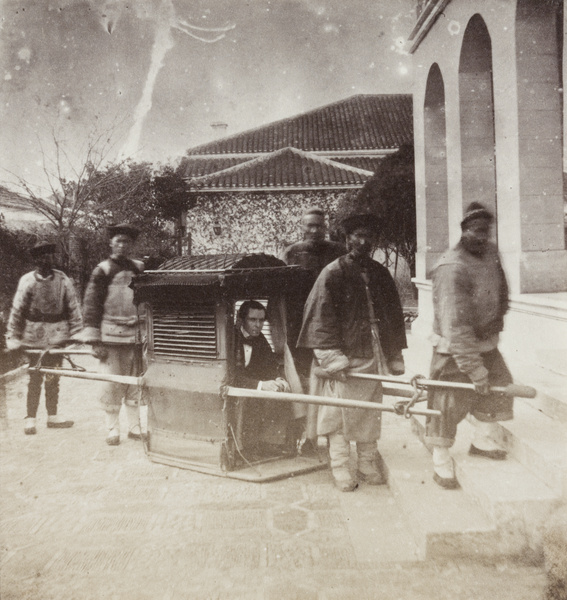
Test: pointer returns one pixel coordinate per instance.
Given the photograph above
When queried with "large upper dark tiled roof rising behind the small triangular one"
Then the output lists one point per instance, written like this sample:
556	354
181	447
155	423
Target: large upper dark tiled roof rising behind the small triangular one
363	122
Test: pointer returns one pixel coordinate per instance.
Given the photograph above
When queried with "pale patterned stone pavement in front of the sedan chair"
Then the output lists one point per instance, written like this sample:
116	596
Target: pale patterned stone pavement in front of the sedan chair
81	520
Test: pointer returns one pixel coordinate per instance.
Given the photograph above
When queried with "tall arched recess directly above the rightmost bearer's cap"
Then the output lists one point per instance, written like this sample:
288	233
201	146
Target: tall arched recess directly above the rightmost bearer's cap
476	102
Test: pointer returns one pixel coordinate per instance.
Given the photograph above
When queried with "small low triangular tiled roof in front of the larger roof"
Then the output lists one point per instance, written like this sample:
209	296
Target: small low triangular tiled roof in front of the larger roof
286	169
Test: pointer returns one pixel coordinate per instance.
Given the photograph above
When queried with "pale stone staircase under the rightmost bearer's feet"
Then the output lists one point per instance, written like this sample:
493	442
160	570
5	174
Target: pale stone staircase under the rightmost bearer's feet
502	507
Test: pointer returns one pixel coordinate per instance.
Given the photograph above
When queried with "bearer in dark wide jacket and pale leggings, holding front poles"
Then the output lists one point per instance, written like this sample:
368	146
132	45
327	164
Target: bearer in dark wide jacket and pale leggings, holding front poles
353	321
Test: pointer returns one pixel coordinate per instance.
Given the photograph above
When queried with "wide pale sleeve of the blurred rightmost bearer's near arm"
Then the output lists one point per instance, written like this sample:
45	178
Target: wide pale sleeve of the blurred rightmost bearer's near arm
453	295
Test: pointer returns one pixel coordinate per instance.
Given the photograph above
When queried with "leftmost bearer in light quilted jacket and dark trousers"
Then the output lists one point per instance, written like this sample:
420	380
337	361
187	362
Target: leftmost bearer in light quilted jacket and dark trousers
45	314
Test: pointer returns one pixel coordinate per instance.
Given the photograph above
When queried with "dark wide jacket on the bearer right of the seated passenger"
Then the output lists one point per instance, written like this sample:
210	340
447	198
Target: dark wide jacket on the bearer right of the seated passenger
336	313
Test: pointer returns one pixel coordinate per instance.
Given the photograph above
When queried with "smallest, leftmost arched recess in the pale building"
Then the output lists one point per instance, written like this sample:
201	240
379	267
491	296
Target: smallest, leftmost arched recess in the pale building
436	186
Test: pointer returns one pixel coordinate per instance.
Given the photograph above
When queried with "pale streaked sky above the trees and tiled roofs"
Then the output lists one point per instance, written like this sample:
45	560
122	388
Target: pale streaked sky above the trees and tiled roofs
153	76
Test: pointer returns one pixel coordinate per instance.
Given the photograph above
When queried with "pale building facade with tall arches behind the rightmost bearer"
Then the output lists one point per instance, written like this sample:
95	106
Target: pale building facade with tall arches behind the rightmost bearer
488	127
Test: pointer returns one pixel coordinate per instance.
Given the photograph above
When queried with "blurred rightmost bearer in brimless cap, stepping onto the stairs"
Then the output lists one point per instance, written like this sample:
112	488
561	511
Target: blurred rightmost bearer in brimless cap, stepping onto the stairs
470	299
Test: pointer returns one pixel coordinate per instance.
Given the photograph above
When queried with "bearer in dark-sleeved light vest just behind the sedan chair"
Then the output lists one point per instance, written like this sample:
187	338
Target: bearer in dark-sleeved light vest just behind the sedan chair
111	326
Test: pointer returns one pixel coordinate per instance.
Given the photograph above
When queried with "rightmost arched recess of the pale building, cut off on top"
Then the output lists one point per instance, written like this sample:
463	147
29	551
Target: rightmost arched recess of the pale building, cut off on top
539	50
